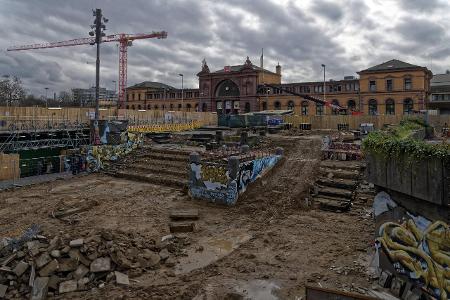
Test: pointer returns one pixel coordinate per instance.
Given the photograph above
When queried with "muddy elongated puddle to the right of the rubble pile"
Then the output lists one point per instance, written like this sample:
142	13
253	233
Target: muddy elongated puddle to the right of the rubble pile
213	249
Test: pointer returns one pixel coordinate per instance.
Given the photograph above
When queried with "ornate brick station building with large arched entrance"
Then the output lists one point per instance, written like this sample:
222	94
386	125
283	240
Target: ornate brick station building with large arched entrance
393	87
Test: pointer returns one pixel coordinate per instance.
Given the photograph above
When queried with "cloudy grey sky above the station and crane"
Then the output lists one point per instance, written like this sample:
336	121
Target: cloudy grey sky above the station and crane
346	35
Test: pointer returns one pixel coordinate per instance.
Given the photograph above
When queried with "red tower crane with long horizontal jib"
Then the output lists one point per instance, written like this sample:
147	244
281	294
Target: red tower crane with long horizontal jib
124	40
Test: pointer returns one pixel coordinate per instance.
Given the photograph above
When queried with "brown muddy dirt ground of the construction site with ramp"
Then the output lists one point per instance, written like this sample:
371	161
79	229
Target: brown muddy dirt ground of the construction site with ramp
267	246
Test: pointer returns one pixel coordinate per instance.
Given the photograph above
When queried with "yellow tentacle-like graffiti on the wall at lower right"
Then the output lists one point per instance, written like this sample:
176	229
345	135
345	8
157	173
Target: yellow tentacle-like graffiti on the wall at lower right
419	249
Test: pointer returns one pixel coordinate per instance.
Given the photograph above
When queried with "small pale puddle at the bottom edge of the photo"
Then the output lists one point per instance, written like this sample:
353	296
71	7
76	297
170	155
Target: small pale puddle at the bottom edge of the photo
258	289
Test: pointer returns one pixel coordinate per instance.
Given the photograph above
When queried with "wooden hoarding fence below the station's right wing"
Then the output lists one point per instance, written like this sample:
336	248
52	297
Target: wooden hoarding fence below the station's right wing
331	122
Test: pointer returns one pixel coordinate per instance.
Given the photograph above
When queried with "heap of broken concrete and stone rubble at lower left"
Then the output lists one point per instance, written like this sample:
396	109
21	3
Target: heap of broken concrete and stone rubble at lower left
43	266
